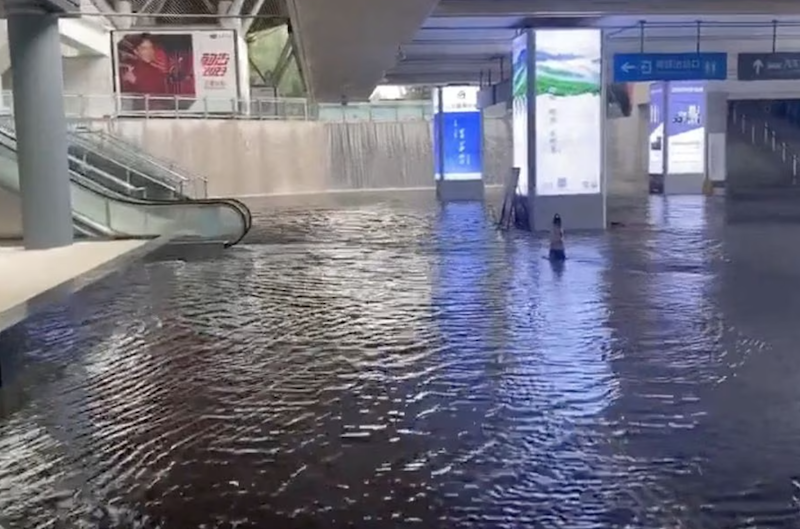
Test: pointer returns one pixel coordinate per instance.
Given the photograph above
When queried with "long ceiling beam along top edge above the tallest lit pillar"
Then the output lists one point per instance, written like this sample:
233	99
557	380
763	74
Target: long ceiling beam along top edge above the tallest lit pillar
487	8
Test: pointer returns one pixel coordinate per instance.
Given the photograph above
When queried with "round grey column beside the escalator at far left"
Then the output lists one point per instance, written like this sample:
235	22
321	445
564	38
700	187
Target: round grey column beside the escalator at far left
38	84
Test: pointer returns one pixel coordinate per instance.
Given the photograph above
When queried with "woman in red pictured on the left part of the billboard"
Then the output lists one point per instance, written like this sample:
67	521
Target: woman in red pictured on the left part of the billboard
146	69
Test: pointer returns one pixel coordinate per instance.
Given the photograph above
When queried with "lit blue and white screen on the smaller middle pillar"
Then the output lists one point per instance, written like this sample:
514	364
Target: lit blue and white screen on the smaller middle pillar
458	134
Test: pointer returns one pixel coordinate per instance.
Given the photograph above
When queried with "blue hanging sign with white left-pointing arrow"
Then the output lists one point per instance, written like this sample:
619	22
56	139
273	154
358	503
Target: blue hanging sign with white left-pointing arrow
637	67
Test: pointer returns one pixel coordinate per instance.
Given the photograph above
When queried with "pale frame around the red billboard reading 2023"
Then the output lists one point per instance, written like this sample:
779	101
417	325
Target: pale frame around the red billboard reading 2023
115	62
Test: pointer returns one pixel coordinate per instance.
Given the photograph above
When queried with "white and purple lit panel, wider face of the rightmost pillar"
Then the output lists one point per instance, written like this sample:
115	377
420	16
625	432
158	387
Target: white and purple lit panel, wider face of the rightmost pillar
686	132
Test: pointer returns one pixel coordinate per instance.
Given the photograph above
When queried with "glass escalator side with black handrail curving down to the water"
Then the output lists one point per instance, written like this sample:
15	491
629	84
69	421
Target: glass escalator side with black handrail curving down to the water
103	210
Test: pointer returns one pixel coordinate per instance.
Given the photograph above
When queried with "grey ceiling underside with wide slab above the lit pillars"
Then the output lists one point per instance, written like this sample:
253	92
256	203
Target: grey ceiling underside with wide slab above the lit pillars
468	41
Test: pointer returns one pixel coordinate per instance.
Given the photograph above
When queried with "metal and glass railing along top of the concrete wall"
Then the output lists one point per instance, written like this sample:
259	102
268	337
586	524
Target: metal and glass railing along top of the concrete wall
105	106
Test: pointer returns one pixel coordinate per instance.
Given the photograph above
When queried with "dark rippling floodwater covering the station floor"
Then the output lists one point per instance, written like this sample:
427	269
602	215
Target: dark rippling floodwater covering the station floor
387	363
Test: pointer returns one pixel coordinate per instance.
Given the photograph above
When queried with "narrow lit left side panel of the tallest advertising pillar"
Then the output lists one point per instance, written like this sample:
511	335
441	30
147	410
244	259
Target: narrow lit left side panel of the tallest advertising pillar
519	61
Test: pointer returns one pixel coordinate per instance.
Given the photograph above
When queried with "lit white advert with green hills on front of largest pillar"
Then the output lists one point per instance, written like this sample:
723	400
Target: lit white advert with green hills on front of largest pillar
569	111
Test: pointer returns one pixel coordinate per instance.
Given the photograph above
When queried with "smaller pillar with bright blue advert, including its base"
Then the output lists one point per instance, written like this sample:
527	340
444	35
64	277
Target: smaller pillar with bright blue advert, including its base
458	144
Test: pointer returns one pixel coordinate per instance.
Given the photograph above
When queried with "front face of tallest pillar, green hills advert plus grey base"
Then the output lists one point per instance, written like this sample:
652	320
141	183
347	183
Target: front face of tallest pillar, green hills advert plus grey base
566	129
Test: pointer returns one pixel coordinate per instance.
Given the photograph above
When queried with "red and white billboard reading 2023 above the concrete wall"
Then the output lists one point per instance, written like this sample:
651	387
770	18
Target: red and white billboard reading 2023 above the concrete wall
176	71
